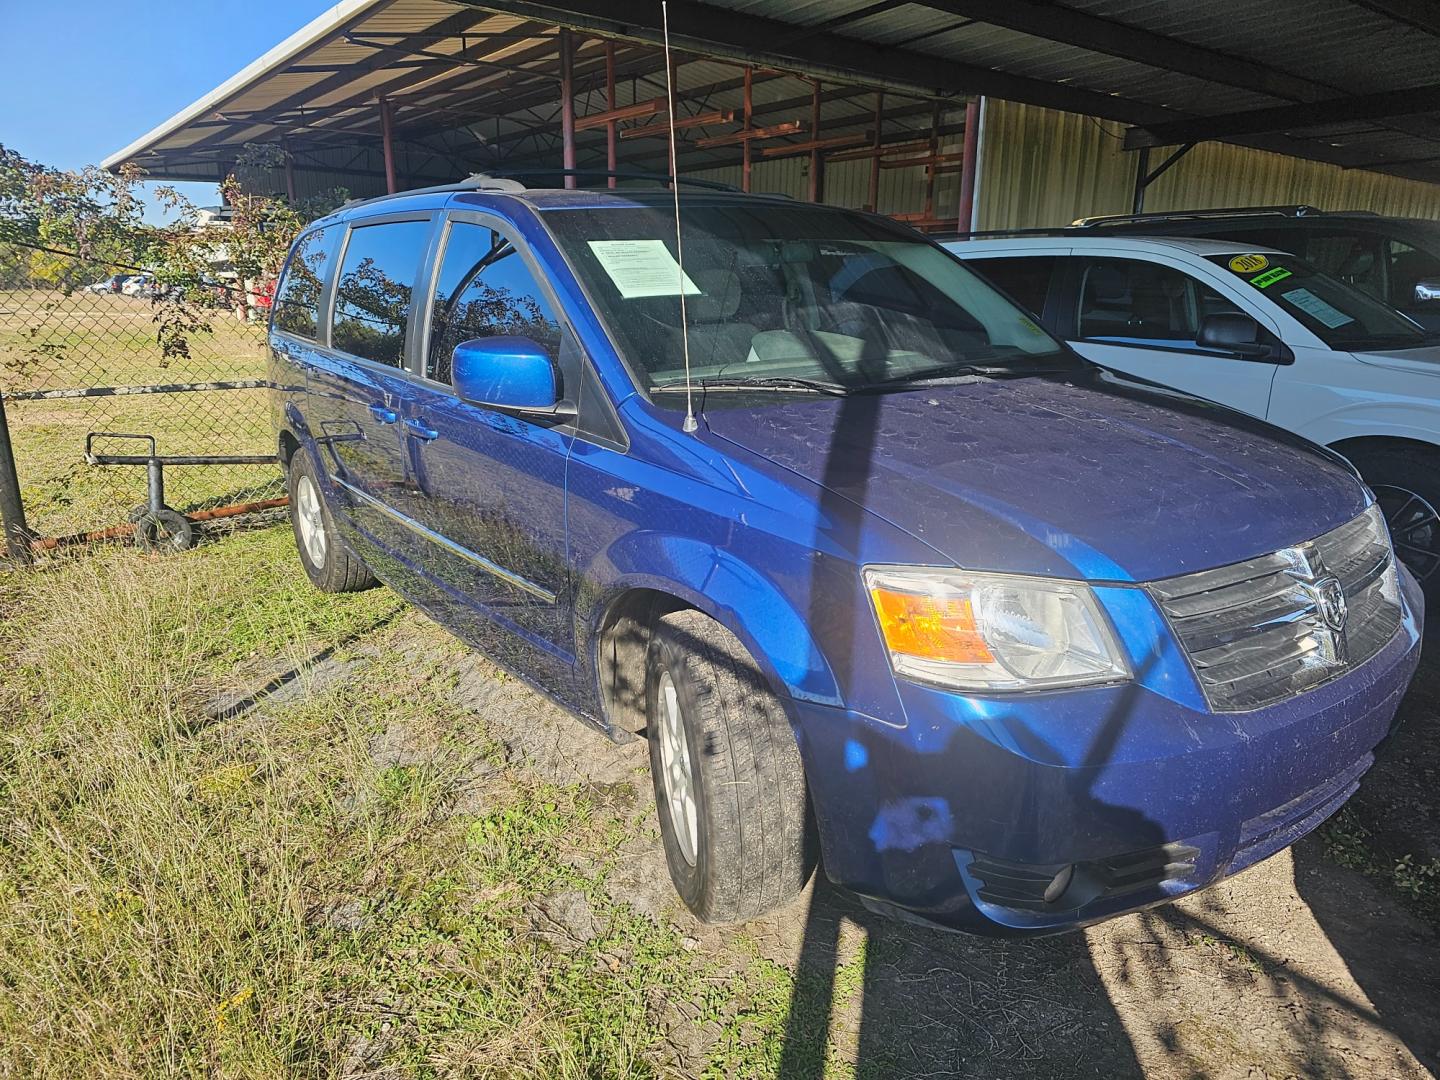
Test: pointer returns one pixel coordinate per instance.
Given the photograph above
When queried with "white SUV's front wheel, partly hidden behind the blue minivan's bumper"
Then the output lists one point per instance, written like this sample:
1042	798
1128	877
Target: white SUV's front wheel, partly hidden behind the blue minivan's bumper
1408	486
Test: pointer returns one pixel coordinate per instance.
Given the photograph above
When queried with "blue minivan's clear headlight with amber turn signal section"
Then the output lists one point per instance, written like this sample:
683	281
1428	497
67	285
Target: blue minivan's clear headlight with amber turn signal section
993	631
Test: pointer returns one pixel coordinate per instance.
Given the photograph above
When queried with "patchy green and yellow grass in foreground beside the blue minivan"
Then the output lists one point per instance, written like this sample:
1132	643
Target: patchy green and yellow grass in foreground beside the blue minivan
300	889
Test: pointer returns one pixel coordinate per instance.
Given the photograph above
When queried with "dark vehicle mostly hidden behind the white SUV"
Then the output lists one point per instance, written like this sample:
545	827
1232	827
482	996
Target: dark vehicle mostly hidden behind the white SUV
1396	260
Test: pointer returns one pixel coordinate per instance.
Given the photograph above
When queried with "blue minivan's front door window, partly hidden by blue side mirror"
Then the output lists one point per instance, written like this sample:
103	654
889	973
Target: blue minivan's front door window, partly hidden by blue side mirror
486	290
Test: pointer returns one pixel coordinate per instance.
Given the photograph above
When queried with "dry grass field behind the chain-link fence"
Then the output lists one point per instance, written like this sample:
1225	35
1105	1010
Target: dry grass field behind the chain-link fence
54	342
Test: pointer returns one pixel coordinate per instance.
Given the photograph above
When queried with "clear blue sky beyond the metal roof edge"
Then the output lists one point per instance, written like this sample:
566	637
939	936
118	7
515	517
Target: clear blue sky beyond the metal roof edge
81	78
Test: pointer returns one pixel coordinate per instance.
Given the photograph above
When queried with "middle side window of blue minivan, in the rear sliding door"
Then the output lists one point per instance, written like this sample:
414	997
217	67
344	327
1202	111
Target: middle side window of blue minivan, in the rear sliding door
374	293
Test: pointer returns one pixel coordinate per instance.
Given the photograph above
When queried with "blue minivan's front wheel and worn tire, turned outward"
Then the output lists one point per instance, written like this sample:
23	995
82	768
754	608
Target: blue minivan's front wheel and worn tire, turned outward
741	845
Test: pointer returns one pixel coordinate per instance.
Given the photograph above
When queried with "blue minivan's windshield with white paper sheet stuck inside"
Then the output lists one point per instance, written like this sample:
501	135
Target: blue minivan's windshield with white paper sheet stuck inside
793	297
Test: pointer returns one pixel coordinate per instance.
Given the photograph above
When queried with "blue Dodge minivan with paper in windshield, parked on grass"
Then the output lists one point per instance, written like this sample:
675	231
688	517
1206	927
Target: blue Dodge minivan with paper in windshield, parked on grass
891	580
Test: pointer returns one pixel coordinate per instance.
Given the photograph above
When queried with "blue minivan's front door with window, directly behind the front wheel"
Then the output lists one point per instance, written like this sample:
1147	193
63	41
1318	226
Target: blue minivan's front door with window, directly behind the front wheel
490	485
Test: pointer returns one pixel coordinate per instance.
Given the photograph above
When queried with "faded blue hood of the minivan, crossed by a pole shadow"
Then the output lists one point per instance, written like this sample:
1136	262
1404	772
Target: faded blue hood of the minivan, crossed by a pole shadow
1036	476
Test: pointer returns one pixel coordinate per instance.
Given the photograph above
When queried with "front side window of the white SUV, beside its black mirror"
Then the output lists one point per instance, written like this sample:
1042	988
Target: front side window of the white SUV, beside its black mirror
1144	303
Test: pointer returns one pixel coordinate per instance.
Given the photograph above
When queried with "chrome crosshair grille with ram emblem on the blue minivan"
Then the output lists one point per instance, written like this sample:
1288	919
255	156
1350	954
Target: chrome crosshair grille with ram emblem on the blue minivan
1268	629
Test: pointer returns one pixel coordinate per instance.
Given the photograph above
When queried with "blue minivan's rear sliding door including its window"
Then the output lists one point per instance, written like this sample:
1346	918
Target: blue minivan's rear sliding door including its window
359	381
